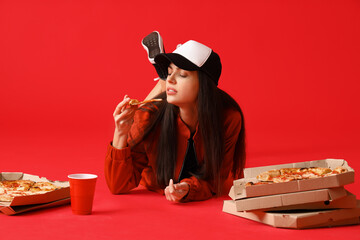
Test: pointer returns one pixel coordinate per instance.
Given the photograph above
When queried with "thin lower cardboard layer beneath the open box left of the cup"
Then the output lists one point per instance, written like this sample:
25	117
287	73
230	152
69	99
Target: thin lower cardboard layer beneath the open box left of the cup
12	210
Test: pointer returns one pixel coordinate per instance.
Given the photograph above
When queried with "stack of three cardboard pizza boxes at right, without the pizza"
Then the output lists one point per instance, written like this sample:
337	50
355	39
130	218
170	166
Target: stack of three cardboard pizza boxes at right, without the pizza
298	204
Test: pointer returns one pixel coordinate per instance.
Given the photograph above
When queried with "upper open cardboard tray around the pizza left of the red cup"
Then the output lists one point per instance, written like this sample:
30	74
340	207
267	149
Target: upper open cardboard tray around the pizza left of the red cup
52	196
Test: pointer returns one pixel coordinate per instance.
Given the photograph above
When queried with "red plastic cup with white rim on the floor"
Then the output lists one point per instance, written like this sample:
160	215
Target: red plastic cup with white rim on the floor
82	190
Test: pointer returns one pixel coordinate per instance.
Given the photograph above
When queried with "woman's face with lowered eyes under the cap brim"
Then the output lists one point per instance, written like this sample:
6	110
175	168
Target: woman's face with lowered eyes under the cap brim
182	87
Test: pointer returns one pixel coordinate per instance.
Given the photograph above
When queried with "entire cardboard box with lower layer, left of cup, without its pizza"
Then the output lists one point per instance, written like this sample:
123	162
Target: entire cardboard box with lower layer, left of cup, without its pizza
27	203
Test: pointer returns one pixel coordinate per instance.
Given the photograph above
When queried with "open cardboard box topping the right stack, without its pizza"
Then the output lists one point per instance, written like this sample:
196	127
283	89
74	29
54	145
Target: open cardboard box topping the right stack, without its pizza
242	191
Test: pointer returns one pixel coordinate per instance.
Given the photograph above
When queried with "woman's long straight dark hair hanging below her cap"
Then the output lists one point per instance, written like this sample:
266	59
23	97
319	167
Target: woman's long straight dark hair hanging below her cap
212	104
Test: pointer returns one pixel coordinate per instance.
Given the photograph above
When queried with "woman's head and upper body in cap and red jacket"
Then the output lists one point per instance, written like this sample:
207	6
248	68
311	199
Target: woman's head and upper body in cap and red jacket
189	146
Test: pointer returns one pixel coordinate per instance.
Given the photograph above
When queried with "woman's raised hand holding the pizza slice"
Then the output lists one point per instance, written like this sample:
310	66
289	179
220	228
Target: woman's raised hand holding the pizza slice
124	118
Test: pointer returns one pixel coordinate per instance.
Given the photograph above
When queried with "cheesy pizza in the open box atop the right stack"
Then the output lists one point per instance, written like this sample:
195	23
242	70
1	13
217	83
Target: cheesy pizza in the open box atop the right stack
291	174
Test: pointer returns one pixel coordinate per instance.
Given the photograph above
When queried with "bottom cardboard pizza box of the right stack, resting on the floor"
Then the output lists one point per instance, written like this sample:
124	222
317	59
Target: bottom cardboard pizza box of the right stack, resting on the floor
299	219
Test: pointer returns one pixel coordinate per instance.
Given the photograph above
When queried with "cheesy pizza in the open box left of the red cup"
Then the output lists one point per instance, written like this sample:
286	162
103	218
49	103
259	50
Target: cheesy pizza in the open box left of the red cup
14	188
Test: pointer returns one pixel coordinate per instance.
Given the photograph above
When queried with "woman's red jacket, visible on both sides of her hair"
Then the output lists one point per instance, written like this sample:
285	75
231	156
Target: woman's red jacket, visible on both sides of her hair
126	168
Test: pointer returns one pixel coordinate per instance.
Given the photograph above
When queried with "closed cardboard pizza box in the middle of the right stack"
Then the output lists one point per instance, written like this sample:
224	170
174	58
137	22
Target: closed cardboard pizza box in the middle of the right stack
321	198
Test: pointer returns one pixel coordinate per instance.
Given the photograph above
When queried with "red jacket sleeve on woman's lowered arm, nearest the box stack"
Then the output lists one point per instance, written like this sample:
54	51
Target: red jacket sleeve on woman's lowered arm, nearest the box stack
201	189
